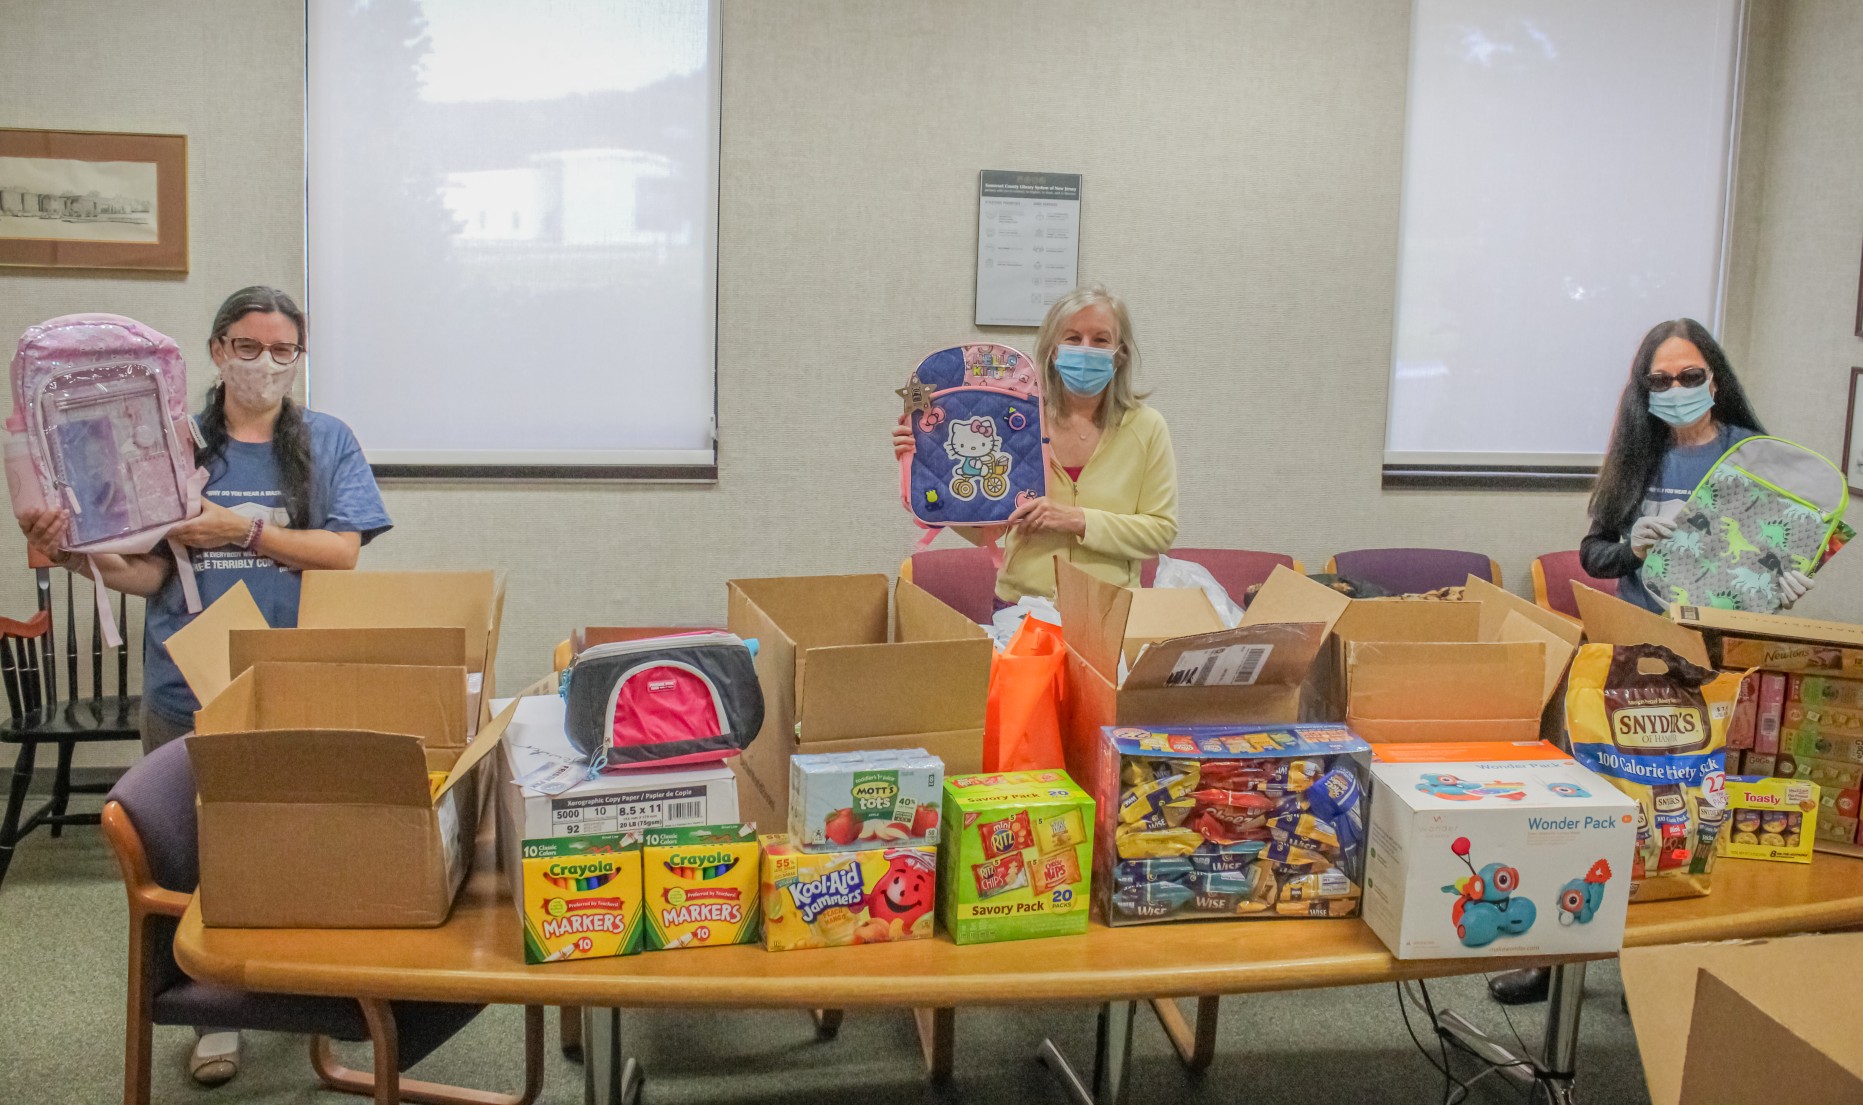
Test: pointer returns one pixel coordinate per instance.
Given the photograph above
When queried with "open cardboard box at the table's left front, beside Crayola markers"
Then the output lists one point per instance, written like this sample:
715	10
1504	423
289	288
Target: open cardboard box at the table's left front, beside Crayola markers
316	798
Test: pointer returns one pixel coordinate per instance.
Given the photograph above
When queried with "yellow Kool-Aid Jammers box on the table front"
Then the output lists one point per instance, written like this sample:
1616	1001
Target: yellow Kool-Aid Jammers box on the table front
837	899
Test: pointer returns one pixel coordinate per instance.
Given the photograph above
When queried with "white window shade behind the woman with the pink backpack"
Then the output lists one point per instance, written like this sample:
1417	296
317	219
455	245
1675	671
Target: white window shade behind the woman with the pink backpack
511	234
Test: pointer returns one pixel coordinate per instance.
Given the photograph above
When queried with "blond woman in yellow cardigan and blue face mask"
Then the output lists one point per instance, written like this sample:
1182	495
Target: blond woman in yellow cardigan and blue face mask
1111	495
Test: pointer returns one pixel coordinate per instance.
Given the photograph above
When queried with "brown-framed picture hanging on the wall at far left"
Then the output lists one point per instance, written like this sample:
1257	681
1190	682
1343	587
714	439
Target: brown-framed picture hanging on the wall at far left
94	200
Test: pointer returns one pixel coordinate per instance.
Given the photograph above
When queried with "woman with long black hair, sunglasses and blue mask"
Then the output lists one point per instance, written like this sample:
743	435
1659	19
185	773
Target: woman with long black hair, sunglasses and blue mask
1681	411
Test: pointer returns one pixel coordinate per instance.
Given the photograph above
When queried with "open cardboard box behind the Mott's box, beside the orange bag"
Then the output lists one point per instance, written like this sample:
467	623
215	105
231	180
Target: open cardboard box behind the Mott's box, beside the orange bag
843	670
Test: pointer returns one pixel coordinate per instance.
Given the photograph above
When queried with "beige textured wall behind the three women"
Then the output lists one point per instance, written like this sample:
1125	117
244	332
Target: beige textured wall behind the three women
1242	180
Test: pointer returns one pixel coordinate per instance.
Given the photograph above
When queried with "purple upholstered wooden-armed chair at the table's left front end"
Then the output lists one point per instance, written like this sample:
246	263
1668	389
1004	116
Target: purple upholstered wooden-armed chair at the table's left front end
150	823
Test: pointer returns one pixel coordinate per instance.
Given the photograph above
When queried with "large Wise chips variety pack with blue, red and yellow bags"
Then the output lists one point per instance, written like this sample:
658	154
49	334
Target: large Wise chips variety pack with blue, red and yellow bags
1223	823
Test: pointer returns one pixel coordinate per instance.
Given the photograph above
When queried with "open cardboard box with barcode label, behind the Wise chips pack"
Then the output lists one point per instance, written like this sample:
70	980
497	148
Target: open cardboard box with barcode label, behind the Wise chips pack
1191	672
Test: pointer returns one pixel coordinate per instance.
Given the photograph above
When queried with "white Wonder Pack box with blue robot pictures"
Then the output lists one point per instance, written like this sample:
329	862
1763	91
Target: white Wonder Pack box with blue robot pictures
1495	851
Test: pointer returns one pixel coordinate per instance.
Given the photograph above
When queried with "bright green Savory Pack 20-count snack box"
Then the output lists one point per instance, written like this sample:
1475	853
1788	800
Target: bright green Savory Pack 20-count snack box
1016	858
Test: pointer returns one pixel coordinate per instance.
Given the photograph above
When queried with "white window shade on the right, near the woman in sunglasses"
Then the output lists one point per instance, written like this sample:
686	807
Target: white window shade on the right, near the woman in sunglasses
1566	187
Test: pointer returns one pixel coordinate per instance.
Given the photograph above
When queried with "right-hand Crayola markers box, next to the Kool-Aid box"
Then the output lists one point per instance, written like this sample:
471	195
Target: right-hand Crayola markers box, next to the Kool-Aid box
701	886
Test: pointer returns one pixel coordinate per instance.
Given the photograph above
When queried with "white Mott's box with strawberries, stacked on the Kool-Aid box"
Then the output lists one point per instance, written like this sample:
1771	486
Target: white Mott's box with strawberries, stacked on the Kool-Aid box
886	798
